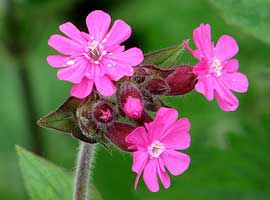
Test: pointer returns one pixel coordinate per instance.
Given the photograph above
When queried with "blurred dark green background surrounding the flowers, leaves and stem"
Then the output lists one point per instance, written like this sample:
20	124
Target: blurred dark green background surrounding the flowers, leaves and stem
229	151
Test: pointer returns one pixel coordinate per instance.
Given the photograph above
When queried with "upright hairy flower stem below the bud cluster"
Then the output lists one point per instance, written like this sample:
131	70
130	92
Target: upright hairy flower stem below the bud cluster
81	181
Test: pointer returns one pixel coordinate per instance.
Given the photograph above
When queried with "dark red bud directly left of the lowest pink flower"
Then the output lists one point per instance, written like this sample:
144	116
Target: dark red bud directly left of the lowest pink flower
117	133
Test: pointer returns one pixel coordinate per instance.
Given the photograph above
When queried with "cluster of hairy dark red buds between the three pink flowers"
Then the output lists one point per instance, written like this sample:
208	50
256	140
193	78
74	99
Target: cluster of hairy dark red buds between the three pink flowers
99	117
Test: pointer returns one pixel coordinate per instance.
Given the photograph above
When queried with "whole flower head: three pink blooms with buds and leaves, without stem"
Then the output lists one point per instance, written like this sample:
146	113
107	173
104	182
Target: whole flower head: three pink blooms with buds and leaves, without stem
114	90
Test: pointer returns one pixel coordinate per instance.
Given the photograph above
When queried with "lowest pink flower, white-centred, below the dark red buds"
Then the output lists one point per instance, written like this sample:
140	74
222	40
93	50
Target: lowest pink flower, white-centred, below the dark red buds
155	146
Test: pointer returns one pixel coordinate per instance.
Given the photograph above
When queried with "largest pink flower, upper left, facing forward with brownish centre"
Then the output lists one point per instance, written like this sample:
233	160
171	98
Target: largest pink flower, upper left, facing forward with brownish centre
96	57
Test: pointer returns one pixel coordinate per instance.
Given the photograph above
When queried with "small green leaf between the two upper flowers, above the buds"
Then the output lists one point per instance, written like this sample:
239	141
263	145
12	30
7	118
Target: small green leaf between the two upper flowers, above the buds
165	57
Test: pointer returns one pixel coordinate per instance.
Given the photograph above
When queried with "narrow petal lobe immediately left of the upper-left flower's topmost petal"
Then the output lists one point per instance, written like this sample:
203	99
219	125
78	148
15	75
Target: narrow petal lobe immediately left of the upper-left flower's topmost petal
72	32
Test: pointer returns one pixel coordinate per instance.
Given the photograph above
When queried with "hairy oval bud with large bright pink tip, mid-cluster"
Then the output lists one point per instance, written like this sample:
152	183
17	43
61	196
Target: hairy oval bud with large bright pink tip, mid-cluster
130	100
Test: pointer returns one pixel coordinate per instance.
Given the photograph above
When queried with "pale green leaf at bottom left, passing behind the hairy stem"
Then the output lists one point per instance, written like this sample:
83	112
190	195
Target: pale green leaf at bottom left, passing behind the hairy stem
45	180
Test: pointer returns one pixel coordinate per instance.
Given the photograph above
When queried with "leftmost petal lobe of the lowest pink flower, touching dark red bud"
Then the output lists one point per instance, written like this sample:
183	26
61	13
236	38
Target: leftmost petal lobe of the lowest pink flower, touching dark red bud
138	137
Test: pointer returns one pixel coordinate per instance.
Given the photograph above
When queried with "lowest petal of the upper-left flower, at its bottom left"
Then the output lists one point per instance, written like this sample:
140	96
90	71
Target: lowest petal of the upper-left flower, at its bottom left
83	89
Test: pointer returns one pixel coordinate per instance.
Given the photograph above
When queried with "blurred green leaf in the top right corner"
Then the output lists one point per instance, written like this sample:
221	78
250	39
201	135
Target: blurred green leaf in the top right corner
252	16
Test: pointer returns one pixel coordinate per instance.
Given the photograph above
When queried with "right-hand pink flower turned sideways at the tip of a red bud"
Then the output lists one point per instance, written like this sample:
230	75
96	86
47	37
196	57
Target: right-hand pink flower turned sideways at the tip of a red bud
217	72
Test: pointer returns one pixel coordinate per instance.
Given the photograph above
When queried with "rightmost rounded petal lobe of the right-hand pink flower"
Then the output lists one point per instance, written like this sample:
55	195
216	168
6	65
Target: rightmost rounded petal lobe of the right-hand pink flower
236	81
